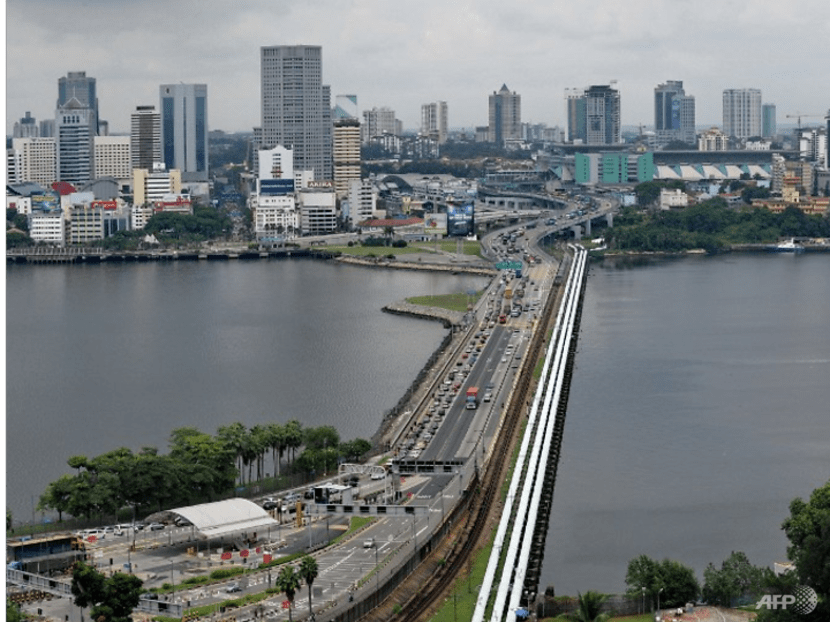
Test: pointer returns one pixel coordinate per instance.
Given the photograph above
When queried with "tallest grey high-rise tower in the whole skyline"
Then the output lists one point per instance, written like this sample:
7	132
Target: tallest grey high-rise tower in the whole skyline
296	108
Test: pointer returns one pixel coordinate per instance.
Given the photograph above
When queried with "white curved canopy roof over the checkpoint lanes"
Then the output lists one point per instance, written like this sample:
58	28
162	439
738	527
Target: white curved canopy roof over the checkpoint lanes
224	518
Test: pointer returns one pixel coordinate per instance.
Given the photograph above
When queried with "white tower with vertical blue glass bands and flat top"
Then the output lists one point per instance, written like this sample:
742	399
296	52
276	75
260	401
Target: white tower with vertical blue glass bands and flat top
184	129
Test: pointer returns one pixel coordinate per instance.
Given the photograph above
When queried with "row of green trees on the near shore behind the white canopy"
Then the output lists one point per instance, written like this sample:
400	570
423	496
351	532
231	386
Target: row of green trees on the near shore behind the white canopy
199	468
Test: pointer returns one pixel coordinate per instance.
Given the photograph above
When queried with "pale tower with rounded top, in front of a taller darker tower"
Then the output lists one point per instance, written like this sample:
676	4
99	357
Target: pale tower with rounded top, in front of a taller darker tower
75	128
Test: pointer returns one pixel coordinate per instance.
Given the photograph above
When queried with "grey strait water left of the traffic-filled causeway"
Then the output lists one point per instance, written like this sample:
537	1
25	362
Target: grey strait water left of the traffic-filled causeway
104	356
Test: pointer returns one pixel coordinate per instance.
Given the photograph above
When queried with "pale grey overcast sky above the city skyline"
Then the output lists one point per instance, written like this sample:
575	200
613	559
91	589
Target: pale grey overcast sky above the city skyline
404	53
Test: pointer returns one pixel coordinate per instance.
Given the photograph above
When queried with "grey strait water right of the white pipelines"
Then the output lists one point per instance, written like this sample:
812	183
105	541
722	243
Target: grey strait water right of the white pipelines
699	408
